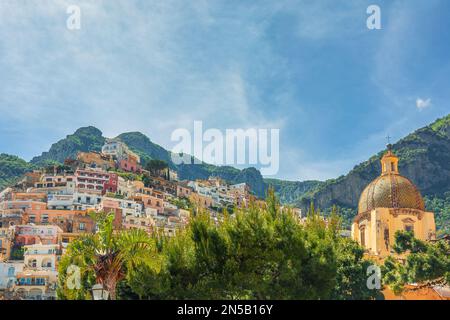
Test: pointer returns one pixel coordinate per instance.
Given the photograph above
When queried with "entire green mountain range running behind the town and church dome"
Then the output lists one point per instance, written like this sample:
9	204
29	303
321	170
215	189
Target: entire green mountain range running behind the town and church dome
424	158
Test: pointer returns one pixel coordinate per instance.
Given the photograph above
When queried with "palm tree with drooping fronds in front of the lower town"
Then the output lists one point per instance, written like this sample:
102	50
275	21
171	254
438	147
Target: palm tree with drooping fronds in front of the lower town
109	255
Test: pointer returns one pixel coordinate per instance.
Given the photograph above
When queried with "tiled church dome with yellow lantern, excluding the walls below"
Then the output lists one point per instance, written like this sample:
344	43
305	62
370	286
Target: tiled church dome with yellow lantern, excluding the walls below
390	190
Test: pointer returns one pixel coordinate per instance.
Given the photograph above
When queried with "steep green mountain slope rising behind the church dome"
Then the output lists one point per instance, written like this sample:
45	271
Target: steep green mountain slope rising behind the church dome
424	158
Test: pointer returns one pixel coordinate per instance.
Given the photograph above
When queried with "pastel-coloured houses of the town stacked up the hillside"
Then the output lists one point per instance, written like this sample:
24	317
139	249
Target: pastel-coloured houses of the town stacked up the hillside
50	207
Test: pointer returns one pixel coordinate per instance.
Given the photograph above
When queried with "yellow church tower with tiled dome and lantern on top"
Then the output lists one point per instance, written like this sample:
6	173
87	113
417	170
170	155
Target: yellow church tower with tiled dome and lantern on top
388	204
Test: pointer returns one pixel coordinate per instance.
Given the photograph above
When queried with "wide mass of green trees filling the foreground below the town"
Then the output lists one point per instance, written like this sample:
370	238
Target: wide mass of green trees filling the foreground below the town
256	253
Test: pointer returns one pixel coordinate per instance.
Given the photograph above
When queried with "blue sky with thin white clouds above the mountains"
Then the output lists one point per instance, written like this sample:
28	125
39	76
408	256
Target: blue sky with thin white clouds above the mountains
311	69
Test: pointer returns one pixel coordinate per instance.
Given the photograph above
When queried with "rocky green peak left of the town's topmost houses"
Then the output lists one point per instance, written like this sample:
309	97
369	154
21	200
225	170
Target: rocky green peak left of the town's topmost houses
84	139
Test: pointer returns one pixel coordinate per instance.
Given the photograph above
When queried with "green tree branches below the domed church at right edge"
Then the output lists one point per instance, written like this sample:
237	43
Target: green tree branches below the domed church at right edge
425	262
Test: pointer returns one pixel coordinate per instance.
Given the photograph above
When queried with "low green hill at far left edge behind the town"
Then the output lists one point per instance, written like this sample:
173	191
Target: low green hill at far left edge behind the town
11	169
